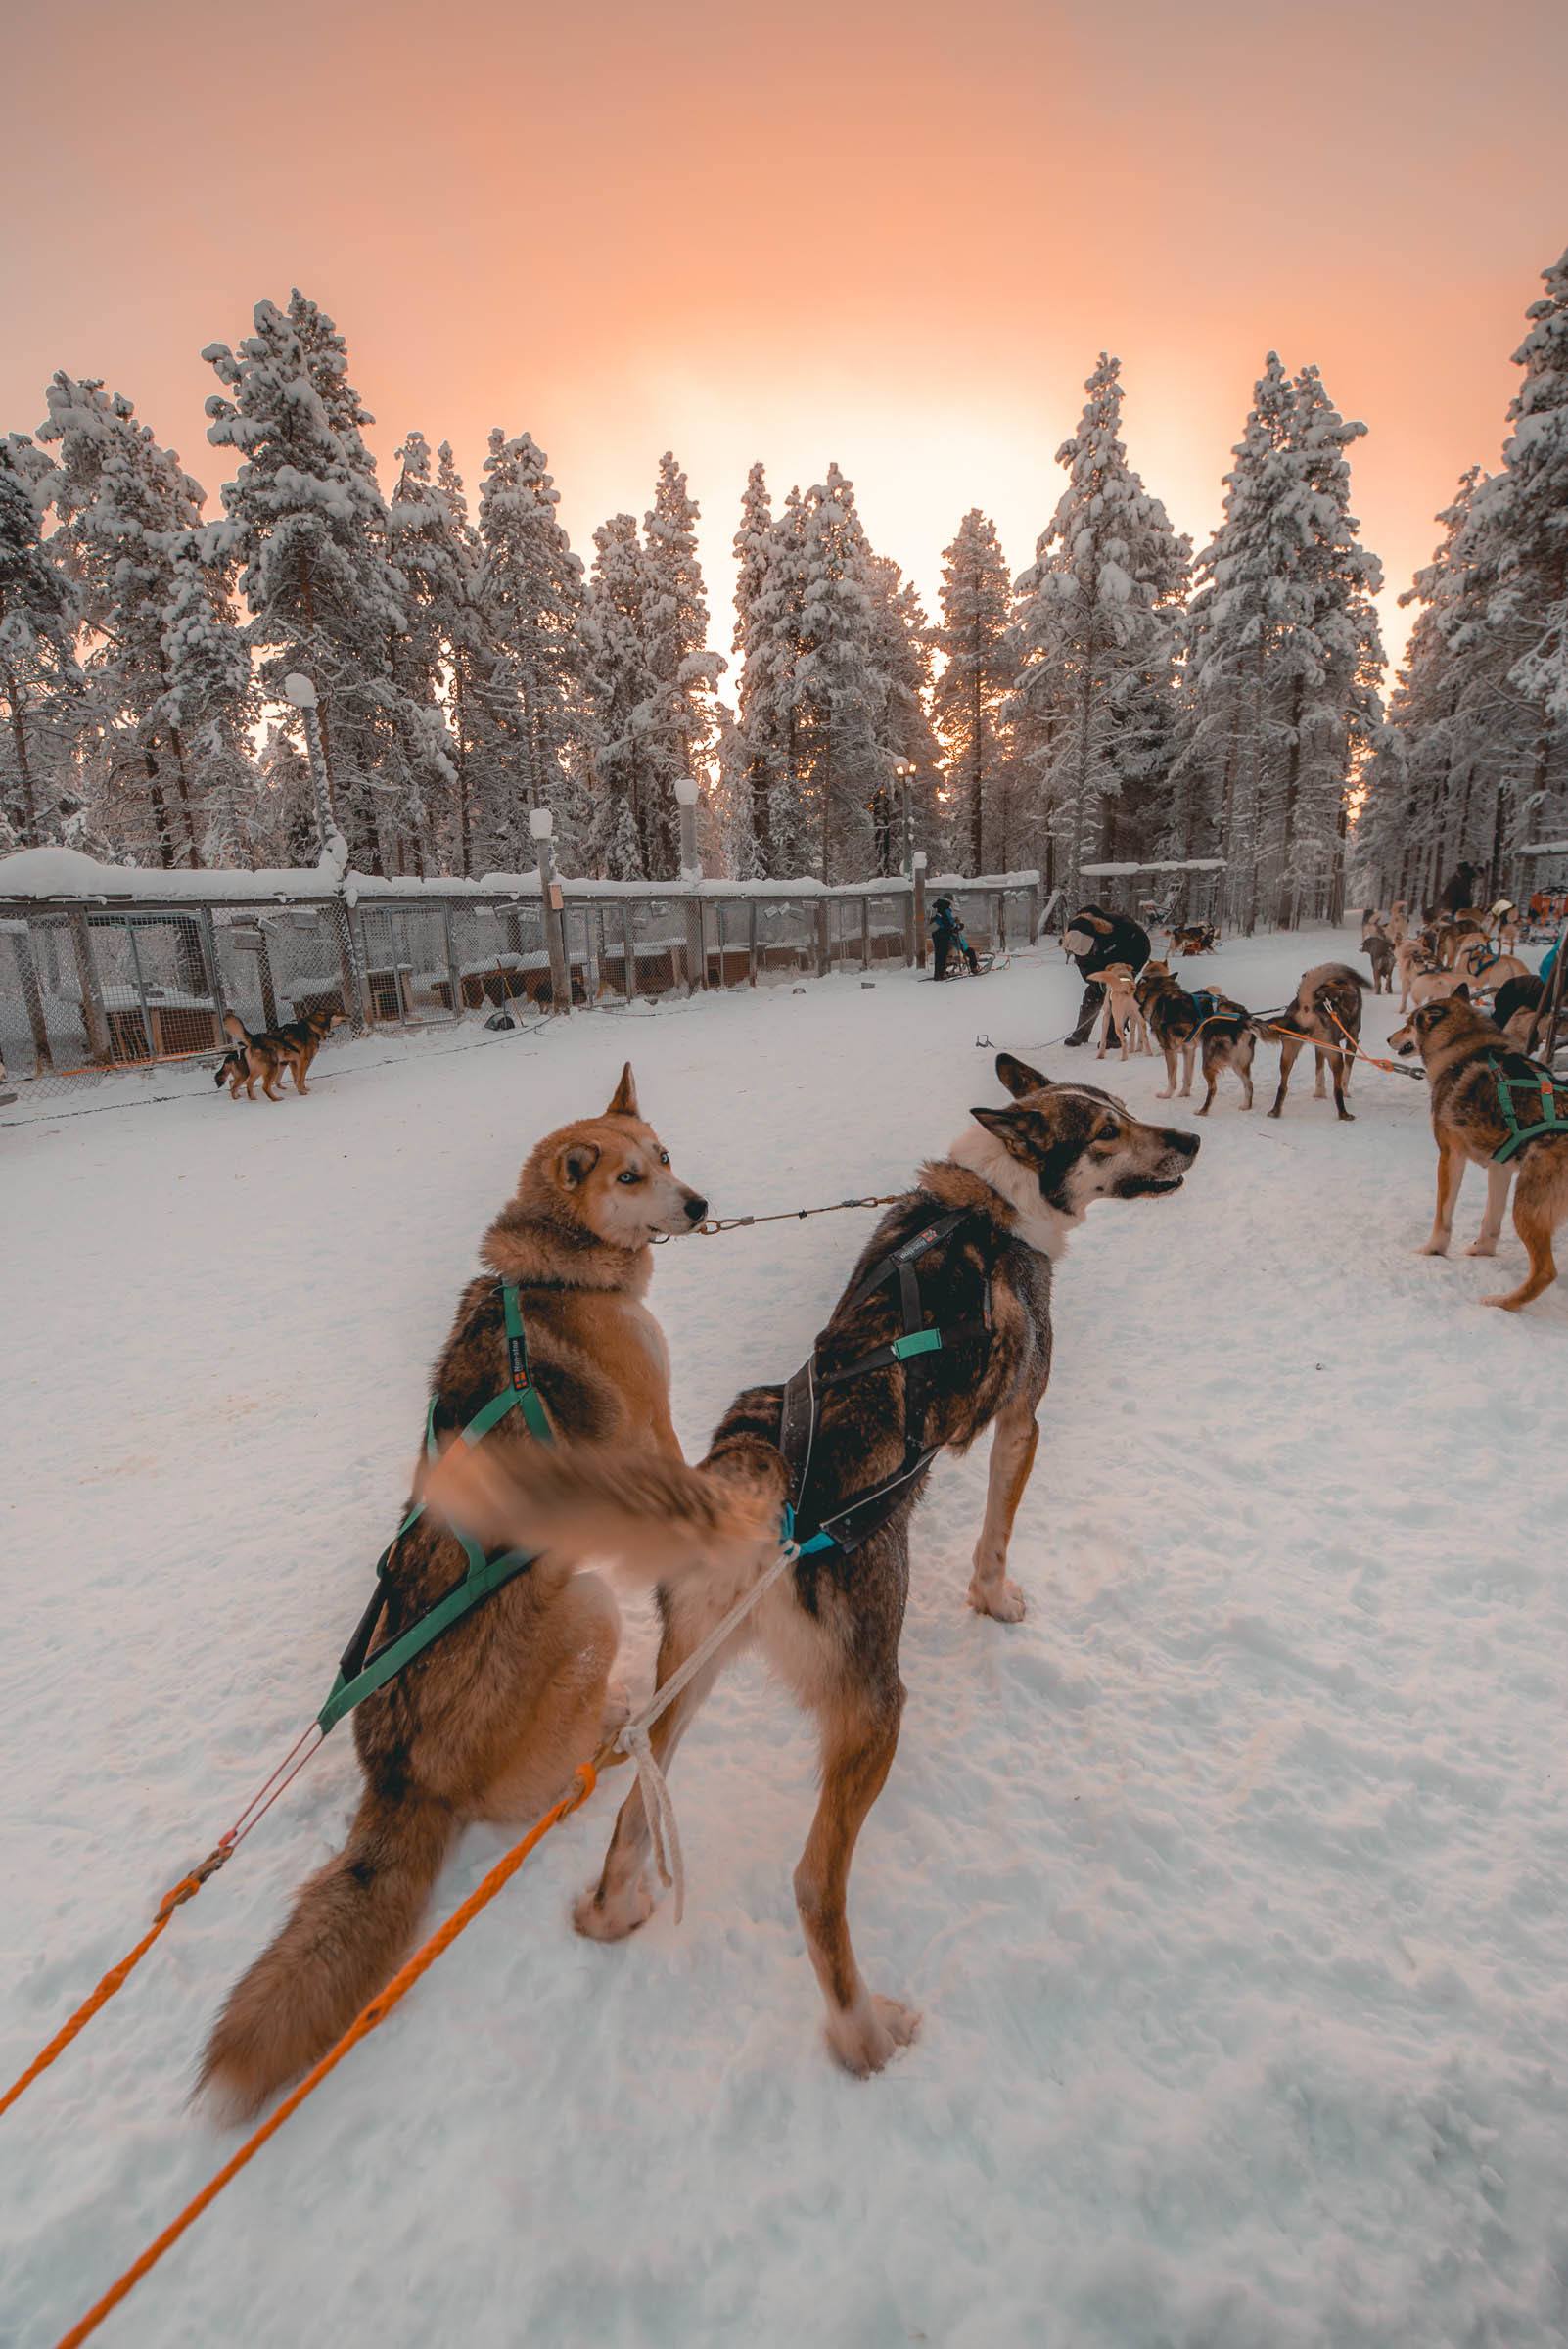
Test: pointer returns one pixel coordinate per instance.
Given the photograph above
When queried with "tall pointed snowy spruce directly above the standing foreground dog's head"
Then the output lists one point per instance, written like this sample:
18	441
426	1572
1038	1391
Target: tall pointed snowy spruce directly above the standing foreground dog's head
1095	647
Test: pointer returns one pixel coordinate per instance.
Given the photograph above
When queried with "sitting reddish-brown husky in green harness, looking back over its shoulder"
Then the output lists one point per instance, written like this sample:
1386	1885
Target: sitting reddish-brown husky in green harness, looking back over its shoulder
496	1716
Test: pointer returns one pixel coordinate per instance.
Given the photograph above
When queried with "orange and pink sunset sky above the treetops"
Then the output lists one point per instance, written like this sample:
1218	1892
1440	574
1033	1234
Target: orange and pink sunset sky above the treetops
893	236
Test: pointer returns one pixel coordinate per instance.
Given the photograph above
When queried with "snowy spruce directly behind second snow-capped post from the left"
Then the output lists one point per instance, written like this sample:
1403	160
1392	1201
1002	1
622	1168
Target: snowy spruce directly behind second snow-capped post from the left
532	600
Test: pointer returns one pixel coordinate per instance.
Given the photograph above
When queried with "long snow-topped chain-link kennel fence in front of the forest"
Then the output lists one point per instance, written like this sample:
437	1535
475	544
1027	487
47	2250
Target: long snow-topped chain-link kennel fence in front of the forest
116	971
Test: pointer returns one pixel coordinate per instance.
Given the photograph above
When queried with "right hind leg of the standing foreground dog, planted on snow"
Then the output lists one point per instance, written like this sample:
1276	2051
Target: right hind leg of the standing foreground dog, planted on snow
860	1737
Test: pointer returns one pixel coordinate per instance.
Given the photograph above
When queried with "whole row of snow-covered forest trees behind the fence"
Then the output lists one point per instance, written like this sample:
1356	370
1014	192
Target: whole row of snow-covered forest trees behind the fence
1123	699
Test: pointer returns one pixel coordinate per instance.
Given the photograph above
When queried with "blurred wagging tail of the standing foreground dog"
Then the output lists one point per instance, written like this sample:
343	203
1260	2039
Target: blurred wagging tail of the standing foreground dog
647	1514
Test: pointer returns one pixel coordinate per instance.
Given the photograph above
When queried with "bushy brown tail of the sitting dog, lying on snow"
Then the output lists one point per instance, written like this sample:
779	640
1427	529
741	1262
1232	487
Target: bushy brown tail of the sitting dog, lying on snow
349	1930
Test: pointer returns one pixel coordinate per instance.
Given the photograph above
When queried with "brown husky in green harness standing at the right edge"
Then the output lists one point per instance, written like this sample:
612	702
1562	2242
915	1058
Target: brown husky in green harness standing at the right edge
1466	1056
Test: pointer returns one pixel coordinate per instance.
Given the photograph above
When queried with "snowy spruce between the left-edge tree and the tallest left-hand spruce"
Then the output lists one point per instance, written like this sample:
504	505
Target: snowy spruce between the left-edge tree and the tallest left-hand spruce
128	511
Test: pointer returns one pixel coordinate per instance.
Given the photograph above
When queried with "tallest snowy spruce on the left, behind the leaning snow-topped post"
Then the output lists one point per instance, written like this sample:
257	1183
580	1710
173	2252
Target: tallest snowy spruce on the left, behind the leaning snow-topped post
309	530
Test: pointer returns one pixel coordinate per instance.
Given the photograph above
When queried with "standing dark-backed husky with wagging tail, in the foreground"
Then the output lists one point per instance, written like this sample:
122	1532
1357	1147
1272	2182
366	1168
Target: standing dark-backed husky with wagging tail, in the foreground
973	1251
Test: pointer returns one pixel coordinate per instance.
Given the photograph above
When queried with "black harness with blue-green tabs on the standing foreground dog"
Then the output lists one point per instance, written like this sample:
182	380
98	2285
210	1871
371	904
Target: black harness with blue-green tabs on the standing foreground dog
846	1528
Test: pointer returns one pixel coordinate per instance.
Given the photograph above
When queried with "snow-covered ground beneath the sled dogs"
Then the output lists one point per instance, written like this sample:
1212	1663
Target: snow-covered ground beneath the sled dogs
1231	1885
